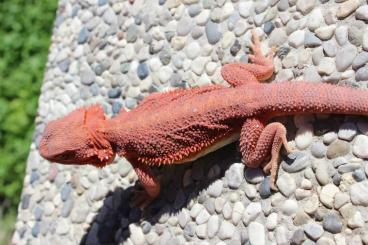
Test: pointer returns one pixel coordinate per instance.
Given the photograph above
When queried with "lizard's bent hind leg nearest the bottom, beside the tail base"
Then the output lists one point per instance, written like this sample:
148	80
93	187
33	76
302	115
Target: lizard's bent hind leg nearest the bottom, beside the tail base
258	140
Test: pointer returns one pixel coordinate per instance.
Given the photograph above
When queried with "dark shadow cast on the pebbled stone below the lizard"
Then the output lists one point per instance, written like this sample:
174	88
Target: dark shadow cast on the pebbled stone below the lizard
111	224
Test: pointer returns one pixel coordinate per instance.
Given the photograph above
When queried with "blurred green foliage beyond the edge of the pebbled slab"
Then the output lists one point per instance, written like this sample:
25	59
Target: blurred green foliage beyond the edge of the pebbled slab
25	32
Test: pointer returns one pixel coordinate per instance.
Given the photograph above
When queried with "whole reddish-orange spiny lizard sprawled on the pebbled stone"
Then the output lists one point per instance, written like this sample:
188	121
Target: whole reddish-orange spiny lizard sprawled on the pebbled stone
182	125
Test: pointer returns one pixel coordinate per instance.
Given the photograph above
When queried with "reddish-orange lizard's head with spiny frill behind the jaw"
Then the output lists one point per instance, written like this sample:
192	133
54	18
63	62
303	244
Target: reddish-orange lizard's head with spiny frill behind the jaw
78	138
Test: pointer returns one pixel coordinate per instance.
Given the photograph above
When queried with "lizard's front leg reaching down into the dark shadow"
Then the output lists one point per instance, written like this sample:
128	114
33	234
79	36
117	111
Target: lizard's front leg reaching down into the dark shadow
149	182
